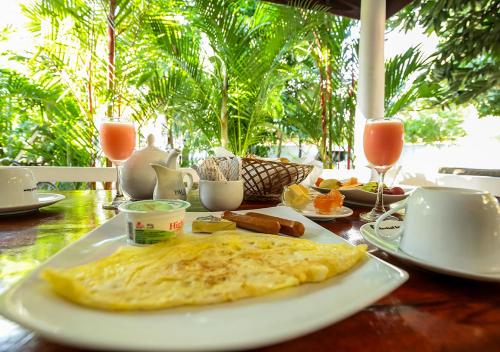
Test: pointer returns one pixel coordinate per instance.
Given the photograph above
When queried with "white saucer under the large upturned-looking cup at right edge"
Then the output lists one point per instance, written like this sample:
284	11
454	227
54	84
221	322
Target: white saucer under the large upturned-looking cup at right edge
391	246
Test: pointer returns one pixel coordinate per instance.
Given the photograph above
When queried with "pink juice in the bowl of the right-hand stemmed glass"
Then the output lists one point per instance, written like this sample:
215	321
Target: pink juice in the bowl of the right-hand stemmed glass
383	142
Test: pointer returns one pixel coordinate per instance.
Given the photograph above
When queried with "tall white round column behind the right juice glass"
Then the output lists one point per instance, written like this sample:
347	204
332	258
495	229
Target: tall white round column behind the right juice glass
370	96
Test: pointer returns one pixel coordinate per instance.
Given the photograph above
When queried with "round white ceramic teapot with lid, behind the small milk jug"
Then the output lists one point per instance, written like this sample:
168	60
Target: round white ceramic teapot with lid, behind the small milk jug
138	177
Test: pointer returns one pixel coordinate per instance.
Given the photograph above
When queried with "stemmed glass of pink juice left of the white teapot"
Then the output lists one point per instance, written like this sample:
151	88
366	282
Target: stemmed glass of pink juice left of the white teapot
117	138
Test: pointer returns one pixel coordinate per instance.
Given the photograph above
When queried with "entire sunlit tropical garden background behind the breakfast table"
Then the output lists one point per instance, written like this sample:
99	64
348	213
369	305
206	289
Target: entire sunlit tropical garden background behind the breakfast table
253	77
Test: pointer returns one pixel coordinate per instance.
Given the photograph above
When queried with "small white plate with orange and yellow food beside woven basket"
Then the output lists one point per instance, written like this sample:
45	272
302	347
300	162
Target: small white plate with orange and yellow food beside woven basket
315	205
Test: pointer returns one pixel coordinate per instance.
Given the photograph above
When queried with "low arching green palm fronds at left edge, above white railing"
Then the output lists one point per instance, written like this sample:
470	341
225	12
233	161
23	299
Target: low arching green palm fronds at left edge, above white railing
44	127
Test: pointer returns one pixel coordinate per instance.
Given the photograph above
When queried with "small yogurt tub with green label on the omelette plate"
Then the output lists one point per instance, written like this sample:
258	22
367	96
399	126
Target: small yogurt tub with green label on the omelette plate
153	221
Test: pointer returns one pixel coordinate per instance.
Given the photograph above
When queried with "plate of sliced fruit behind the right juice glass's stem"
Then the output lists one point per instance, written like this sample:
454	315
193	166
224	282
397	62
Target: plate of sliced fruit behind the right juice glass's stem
361	194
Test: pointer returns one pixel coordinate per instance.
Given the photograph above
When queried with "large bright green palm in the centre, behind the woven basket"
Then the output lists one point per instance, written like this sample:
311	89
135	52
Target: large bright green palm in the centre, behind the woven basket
232	59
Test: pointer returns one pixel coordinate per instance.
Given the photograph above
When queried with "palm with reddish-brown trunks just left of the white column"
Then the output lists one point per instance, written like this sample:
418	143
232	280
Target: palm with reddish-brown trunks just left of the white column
319	97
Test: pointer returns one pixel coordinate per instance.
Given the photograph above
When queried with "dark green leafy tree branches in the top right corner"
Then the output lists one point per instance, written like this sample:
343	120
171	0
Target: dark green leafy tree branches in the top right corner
467	61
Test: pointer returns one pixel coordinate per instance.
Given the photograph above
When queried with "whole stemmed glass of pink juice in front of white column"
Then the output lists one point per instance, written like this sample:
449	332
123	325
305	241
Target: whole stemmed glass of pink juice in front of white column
382	144
